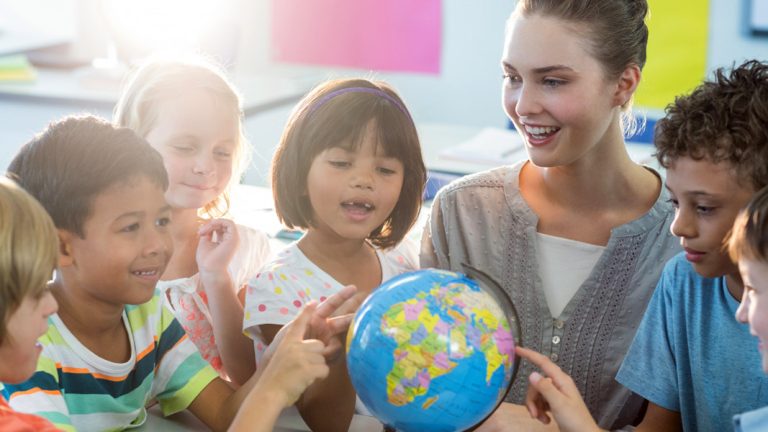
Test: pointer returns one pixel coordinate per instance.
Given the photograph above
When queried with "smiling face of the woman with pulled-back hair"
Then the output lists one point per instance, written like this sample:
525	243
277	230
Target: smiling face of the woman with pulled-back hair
554	90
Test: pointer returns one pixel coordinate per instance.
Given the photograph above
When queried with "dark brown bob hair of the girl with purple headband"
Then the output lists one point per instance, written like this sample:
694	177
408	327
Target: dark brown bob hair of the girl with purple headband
340	120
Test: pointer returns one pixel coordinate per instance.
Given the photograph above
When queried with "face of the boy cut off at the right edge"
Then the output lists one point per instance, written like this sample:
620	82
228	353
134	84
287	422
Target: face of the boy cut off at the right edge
754	303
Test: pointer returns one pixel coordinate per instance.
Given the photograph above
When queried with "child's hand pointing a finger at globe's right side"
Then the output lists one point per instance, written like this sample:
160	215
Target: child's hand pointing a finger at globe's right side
556	393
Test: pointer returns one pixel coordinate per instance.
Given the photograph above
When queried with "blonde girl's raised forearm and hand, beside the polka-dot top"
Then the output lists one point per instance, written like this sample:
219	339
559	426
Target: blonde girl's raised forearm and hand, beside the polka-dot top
218	243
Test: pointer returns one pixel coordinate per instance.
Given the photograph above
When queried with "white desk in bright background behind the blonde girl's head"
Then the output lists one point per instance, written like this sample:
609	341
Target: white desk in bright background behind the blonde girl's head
26	108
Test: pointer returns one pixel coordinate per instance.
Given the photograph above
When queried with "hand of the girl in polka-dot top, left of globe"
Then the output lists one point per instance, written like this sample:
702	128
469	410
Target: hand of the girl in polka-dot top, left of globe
332	318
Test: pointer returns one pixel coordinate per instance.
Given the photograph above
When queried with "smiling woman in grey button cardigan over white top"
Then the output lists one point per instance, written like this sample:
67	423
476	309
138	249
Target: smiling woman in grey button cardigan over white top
578	221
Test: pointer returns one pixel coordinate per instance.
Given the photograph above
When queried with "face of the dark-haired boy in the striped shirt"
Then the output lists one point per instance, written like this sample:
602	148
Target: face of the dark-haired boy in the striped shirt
126	245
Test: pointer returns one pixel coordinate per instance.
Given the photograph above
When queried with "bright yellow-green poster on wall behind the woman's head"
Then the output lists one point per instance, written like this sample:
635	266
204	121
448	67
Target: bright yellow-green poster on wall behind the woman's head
677	51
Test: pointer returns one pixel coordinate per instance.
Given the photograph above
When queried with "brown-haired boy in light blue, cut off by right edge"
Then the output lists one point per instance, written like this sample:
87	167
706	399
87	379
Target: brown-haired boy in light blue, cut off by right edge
748	245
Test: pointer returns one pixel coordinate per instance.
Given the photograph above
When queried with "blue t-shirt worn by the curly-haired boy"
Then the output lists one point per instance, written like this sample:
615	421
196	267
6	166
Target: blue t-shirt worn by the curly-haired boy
690	355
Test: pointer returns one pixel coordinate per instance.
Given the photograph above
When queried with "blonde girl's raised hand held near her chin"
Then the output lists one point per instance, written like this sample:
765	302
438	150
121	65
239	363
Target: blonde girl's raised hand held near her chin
218	243
